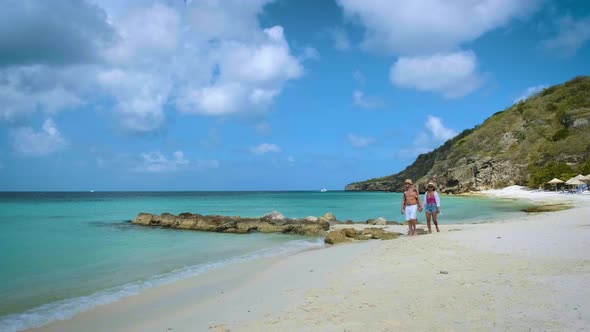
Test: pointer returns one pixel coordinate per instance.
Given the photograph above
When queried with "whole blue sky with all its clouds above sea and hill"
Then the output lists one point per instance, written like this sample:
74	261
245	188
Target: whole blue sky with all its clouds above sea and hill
261	94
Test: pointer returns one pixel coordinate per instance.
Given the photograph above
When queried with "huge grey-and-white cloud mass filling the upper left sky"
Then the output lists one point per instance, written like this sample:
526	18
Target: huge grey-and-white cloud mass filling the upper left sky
144	58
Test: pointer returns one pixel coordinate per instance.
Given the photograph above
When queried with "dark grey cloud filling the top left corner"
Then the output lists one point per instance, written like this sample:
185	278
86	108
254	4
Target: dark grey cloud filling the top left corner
52	32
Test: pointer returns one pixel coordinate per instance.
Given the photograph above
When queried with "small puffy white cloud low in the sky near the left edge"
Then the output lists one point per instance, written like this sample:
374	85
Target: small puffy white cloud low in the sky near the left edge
31	143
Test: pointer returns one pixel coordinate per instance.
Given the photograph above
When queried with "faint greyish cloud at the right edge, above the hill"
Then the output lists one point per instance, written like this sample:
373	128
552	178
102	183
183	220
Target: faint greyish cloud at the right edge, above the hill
571	36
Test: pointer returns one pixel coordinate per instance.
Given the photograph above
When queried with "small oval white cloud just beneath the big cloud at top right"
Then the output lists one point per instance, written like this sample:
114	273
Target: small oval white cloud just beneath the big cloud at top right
452	74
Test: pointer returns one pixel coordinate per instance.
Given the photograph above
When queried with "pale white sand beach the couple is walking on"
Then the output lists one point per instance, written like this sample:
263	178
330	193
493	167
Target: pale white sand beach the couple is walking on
526	273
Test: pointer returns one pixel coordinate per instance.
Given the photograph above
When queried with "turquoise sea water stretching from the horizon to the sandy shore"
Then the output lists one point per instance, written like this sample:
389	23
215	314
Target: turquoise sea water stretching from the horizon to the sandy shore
62	253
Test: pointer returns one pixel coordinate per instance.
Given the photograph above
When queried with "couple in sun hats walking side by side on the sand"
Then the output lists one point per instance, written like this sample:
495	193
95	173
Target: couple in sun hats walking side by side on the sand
411	204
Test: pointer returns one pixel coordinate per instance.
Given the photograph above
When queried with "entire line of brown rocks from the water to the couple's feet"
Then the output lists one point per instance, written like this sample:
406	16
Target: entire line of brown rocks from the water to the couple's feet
273	222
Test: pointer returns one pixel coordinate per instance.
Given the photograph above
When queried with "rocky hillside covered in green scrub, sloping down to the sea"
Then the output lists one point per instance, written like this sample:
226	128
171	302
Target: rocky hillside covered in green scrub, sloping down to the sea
553	125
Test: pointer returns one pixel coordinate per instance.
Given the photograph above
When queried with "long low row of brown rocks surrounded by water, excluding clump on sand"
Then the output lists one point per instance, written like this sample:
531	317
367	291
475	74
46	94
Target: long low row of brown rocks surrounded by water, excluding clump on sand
273	222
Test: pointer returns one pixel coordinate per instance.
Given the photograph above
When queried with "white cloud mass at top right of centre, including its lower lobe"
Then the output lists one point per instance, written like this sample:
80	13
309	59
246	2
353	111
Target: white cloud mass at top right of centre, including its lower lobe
428	35
